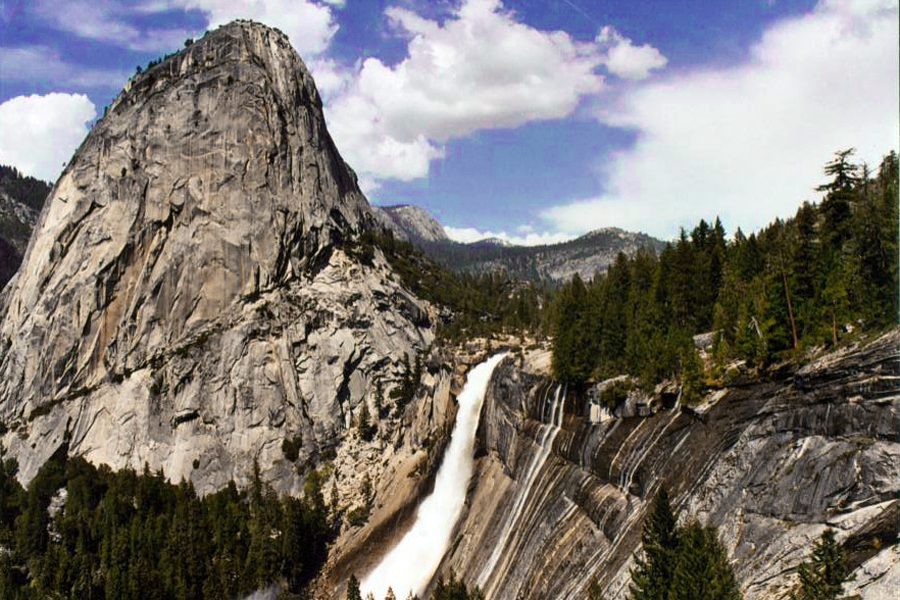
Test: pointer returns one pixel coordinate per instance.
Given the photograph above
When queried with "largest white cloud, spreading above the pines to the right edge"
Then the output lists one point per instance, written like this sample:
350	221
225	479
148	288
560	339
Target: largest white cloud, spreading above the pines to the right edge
748	143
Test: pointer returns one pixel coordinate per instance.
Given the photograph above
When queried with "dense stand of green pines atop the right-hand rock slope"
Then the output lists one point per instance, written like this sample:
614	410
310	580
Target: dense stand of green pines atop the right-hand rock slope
806	281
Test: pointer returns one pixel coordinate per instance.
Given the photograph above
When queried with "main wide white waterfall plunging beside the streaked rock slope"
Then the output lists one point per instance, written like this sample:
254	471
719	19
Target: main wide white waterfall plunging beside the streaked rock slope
410	565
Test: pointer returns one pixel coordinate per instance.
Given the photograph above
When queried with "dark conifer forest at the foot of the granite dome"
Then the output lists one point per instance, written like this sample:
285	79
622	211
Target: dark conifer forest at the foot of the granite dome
124	535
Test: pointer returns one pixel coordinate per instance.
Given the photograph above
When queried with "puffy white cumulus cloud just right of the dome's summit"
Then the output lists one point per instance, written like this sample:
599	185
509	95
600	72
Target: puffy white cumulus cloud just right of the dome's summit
479	68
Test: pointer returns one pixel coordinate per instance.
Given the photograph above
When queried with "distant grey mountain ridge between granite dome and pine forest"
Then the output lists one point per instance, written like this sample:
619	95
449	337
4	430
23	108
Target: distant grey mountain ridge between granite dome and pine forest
587	255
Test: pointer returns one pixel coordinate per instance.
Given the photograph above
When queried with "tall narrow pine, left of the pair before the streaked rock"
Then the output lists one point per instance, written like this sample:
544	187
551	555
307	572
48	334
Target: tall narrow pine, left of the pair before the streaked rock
652	576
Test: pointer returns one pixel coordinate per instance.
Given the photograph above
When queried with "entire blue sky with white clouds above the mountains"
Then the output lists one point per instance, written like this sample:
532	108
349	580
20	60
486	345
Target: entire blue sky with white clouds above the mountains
531	120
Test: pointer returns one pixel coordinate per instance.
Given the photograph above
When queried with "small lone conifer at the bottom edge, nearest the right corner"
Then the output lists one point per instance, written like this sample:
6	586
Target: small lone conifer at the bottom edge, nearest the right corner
823	576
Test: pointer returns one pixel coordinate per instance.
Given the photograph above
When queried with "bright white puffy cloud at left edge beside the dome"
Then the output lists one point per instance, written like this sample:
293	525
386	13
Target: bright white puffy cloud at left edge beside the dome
39	133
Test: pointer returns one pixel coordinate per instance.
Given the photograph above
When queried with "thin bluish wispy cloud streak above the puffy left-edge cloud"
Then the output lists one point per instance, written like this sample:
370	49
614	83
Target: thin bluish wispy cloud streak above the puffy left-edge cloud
39	64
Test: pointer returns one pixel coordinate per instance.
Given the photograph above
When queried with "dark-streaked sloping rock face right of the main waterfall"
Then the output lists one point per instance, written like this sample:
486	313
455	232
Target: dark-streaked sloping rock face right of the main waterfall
556	500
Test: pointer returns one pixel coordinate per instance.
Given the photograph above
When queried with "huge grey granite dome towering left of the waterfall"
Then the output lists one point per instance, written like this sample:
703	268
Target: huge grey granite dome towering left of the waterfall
190	297
